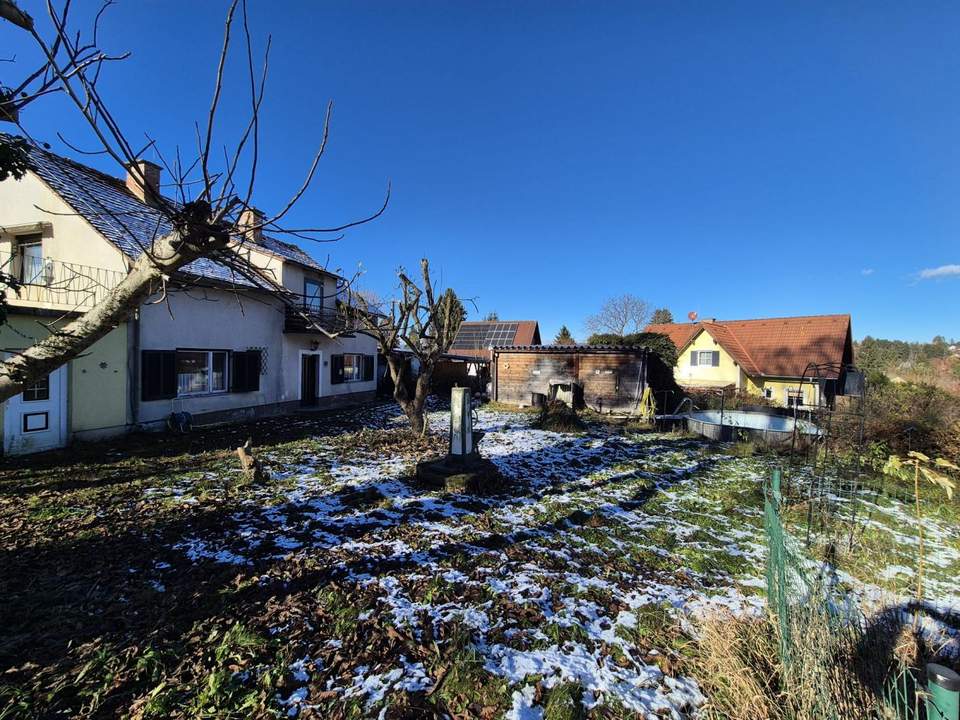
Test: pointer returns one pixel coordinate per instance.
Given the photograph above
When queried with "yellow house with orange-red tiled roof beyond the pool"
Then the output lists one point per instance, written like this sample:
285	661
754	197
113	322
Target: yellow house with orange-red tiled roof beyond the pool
766	357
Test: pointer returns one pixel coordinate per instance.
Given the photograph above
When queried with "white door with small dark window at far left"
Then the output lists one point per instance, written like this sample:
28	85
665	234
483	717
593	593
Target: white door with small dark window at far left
36	419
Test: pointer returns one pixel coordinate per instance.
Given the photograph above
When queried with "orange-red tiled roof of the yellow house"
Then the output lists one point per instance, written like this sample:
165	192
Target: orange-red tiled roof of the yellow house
772	347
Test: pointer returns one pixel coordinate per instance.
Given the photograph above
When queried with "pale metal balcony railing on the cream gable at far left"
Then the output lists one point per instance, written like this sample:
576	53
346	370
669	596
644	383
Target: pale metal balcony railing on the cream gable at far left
68	286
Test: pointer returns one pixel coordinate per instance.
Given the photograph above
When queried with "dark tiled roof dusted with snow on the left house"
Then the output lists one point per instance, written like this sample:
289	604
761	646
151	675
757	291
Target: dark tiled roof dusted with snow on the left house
106	203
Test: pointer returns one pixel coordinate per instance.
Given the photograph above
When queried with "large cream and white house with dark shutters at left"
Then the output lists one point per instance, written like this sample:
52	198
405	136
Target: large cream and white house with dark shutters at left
216	343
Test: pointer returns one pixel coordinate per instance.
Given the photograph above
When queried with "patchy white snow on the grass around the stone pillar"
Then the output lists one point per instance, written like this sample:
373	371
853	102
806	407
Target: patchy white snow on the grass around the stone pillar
587	573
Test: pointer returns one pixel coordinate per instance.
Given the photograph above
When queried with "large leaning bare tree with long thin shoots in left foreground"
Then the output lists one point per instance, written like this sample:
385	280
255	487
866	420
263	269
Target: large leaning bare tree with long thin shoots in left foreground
203	220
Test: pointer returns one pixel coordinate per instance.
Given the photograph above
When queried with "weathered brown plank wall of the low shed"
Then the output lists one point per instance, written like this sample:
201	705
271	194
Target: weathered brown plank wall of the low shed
609	380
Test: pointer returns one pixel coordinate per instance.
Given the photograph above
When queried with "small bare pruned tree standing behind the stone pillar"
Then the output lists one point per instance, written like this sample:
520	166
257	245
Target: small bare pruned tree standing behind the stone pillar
419	325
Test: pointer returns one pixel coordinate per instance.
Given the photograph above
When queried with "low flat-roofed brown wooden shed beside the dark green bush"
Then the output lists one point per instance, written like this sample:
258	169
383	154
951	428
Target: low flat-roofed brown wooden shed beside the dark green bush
605	378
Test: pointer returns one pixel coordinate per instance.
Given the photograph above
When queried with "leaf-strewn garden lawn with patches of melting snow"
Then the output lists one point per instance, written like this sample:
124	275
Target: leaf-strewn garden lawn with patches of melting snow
148	579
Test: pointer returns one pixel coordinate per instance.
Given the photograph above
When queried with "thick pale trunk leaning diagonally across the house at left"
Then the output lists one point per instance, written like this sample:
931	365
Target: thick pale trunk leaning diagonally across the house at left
170	253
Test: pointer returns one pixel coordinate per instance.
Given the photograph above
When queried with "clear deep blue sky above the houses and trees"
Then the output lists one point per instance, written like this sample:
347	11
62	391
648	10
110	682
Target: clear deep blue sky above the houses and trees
737	159
